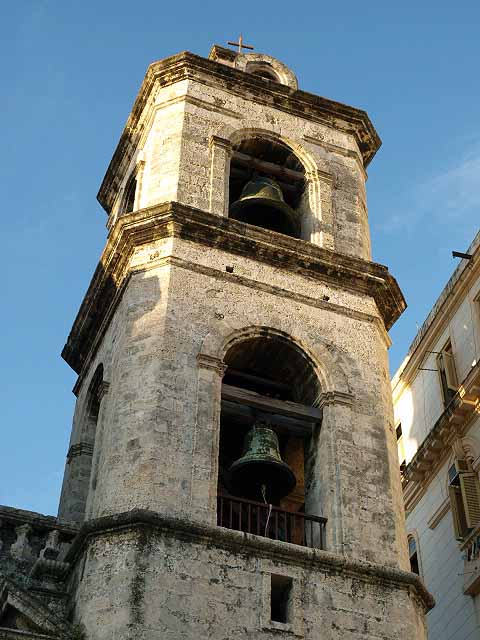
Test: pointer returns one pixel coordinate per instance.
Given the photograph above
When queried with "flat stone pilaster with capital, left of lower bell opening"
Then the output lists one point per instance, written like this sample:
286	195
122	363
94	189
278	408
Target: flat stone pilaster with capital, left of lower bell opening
204	472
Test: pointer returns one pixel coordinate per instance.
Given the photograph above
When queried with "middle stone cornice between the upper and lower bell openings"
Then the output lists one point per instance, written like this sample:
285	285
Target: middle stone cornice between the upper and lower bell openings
176	220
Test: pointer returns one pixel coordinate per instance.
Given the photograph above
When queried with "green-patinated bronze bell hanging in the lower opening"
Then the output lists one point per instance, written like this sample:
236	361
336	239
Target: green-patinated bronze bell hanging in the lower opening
260	474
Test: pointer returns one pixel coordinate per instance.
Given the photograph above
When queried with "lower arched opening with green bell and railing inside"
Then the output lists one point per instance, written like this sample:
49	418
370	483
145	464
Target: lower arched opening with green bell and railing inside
270	393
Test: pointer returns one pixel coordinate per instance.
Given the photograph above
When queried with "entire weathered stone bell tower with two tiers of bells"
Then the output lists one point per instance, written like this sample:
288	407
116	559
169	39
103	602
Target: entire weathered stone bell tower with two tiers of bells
235	309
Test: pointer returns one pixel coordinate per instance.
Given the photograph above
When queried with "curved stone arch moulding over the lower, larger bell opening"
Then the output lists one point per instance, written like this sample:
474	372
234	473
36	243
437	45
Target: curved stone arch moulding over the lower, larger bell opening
331	376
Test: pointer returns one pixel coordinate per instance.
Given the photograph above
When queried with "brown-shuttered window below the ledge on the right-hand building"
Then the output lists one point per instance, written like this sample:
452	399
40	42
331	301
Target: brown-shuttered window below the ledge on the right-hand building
464	493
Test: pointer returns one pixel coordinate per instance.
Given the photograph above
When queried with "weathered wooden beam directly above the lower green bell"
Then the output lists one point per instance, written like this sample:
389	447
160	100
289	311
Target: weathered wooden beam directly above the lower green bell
241	414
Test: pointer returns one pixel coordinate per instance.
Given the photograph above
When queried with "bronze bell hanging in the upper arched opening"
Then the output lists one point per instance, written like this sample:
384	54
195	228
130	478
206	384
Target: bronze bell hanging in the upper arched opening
262	204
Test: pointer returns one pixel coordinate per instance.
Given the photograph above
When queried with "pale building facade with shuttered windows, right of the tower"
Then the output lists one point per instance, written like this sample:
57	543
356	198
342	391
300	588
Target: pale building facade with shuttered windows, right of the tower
437	419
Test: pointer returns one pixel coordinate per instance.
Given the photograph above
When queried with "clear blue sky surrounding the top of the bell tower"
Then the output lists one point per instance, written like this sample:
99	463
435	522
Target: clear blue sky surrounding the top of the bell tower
70	72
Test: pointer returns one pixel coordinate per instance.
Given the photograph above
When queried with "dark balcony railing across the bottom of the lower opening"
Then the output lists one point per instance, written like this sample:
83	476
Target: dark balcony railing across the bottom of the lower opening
271	522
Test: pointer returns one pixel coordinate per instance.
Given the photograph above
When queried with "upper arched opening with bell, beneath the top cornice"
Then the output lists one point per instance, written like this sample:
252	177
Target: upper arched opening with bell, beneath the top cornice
267	181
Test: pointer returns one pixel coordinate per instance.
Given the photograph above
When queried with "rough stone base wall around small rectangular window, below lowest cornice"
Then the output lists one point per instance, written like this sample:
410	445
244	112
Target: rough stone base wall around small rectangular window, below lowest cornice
151	584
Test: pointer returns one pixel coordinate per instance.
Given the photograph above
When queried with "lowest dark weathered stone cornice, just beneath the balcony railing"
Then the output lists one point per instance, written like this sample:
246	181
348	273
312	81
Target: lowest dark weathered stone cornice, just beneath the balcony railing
241	543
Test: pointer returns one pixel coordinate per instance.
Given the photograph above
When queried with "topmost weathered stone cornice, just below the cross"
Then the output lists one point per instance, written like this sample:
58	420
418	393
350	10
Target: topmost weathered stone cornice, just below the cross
185	65
